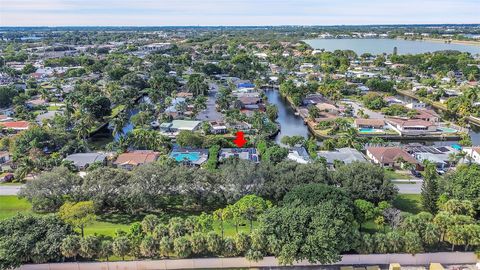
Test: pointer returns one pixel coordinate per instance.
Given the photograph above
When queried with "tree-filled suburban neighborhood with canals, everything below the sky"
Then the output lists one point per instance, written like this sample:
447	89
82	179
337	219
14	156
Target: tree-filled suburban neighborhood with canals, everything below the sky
306	145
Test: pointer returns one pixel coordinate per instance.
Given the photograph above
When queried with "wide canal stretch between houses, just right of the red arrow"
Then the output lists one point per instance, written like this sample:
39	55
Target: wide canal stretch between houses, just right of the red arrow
290	124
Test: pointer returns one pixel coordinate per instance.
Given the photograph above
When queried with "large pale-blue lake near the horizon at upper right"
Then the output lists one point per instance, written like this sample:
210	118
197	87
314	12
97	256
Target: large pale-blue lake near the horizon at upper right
379	46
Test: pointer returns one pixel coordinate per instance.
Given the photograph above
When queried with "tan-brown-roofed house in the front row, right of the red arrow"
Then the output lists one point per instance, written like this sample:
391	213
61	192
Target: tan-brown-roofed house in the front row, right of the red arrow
390	156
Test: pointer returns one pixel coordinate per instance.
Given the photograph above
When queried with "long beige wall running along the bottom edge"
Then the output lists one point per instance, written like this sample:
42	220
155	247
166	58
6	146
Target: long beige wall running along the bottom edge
216	263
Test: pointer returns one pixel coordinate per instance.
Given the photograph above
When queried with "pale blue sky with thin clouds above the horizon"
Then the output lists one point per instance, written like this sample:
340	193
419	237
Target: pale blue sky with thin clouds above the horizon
235	12
